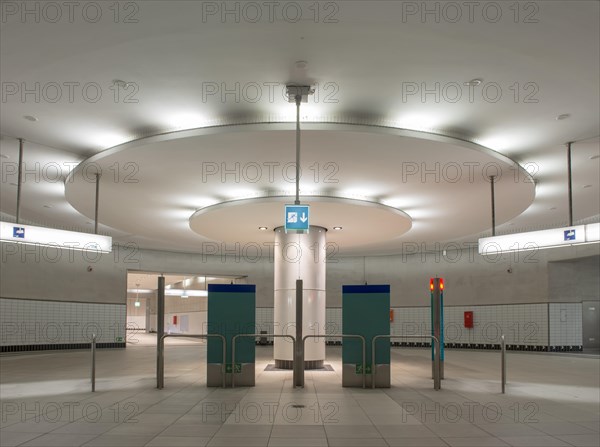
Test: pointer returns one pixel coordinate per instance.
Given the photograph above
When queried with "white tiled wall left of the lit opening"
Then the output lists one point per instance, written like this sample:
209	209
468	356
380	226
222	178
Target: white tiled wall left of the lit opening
34	322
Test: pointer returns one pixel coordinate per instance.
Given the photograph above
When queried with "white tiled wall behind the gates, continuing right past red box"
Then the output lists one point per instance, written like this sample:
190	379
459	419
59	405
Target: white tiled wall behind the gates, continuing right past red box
521	324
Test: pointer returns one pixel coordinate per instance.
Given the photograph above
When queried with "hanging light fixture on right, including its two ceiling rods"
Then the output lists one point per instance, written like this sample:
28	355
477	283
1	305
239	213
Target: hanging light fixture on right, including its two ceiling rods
534	240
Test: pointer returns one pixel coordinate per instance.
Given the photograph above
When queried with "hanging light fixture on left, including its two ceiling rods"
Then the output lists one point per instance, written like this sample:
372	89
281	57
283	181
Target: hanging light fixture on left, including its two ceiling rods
21	234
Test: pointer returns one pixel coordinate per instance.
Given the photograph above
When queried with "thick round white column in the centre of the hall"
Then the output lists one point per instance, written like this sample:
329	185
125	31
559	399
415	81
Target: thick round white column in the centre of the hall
300	256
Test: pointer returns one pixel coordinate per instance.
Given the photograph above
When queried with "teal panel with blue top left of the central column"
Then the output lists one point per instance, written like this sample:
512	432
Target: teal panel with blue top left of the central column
231	311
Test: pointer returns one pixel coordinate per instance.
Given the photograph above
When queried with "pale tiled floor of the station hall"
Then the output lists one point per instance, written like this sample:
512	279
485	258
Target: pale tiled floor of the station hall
551	400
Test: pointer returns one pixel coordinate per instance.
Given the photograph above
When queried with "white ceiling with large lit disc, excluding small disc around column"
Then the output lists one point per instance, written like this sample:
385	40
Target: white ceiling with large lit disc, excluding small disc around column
361	66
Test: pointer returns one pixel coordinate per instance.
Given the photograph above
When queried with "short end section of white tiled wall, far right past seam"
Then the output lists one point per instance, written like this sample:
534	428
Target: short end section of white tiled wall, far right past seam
565	324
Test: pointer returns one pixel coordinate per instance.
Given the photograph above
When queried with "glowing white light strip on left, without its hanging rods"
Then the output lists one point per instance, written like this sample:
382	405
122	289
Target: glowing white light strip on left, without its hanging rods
49	237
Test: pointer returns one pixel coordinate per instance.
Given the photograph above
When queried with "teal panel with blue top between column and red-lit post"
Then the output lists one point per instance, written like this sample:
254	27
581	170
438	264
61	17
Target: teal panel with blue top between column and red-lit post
366	312
